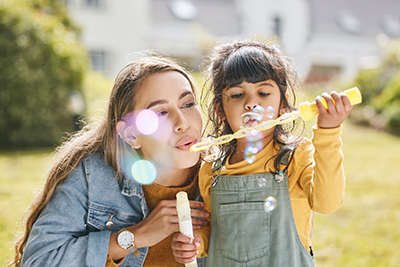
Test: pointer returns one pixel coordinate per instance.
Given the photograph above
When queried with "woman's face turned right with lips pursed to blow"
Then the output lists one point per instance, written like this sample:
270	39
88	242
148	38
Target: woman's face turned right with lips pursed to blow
171	97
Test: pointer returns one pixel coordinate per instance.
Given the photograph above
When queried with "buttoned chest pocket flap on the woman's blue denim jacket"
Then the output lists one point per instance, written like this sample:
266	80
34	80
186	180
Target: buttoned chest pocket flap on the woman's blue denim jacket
99	215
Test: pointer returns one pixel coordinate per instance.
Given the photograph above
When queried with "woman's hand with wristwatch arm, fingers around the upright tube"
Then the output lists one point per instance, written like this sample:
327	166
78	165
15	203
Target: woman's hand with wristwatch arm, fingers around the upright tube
163	221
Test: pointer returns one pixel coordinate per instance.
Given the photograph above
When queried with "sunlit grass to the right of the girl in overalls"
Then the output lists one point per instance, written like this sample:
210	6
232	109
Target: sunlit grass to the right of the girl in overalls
364	231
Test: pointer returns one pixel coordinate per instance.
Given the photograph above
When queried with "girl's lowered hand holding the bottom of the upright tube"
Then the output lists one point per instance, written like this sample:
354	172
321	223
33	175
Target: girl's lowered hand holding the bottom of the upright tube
183	249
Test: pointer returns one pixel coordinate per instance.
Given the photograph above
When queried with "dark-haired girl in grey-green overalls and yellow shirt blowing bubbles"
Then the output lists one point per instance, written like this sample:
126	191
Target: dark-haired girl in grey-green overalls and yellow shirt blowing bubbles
301	175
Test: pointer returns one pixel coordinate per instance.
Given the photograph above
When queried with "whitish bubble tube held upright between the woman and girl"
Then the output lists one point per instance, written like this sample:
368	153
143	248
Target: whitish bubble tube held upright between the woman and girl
185	219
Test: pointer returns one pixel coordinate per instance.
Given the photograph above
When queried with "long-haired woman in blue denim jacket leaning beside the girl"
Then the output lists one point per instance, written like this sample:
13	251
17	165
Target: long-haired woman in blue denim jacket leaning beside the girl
92	211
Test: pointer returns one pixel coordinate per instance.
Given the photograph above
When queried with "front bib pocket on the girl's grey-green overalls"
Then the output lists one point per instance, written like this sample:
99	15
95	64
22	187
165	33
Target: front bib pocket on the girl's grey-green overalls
244	223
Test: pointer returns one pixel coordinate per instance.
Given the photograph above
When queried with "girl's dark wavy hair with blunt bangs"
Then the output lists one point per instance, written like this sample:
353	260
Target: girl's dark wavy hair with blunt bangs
253	62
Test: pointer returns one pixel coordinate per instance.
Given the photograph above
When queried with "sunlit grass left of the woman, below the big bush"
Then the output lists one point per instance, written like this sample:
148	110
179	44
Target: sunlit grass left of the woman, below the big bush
22	173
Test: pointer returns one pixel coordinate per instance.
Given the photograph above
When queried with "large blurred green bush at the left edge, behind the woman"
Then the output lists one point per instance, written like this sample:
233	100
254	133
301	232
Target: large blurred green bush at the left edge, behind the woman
41	64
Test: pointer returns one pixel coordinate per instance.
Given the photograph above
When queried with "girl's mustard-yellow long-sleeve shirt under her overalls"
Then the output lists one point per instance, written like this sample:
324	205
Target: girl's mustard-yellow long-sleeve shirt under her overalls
316	180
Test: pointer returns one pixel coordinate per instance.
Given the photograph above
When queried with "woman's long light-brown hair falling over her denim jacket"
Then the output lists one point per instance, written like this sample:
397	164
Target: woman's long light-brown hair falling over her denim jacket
102	138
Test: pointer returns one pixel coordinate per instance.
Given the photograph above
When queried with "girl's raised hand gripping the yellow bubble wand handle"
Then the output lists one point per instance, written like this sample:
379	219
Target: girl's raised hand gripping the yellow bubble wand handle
336	113
